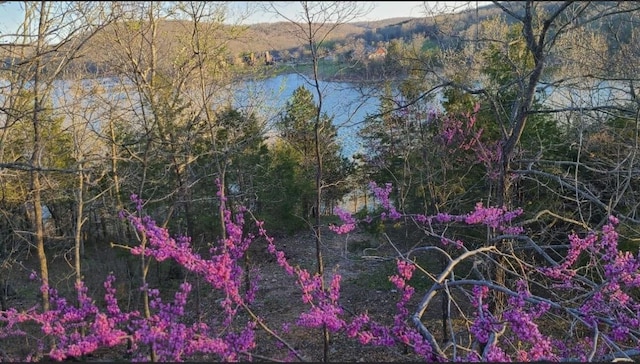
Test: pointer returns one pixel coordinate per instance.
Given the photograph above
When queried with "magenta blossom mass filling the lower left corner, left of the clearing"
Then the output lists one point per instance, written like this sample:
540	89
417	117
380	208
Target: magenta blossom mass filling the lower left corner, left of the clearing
83	328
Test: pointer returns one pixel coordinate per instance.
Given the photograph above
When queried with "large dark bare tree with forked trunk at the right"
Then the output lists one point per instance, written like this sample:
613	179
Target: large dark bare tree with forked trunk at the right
559	59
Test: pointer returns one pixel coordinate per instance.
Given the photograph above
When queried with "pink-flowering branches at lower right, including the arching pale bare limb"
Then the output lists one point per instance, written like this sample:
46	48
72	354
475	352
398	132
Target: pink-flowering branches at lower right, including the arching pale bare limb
605	308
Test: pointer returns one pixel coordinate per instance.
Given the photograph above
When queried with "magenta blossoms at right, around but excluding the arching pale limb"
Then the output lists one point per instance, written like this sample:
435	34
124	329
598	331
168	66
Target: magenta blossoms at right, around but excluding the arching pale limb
608	304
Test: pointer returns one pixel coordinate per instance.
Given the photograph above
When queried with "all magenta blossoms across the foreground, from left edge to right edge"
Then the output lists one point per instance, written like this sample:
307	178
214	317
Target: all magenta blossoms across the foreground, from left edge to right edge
514	333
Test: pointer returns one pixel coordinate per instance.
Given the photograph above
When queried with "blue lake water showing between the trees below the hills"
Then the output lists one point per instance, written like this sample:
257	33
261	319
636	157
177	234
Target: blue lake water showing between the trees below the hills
347	103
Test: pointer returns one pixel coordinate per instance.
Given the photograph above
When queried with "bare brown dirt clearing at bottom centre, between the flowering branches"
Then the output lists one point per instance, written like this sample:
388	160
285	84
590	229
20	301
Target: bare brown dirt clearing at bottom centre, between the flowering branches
358	257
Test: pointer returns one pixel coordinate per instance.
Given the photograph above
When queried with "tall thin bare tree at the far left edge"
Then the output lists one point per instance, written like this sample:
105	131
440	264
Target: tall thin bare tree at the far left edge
48	39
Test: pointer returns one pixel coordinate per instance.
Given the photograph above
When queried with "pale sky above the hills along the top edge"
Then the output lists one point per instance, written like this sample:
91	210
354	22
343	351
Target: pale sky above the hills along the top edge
11	13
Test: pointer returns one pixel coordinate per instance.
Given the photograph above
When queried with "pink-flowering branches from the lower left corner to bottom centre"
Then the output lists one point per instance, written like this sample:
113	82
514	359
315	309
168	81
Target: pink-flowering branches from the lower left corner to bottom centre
84	328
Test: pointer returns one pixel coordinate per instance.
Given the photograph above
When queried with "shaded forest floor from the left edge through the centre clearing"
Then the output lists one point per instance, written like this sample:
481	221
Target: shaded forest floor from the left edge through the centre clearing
364	261
